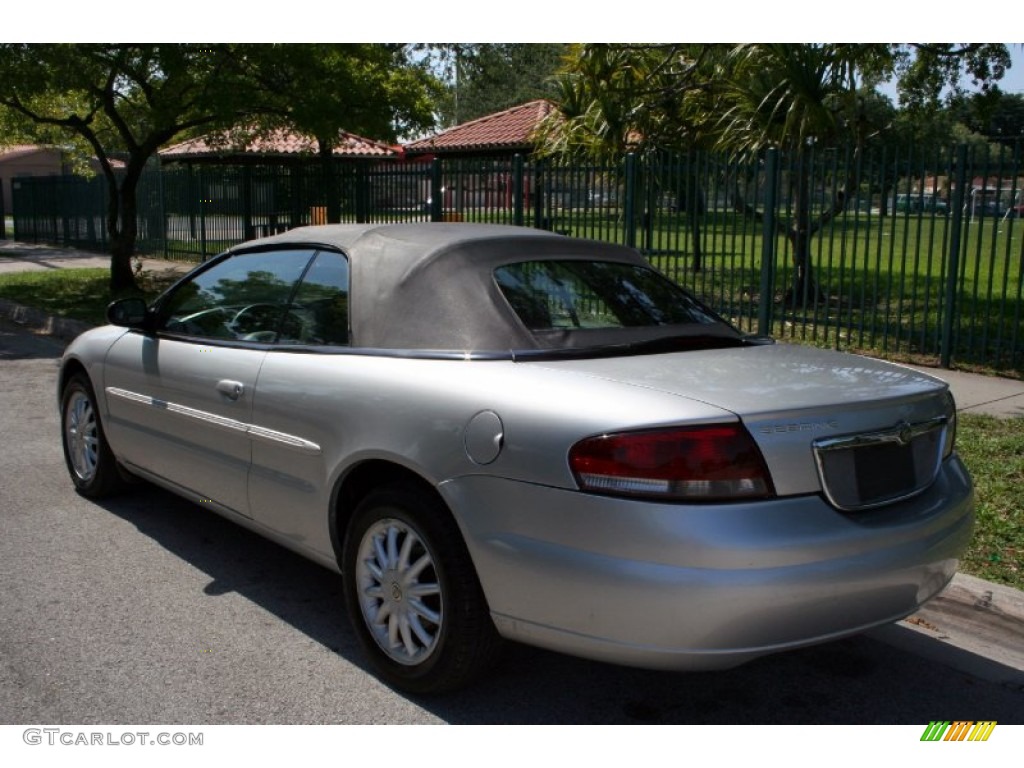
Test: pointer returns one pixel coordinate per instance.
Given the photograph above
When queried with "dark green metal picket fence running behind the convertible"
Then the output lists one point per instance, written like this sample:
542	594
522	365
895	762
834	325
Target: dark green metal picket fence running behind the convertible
924	259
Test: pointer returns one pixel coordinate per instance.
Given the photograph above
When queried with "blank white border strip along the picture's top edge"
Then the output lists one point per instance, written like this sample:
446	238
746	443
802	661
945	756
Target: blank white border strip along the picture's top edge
474	21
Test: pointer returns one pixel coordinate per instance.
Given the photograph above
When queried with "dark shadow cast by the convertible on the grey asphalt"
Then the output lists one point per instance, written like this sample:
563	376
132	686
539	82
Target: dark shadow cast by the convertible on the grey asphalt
860	680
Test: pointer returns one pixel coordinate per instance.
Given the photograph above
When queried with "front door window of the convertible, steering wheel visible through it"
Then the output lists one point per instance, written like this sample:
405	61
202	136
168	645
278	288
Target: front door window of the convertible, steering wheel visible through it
245	297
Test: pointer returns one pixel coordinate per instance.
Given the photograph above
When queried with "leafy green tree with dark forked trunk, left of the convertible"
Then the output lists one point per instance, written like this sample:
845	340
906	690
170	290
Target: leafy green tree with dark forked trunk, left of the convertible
126	101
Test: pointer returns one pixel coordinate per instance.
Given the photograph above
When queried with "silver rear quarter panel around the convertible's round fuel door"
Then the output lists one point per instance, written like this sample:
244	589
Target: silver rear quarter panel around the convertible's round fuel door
415	413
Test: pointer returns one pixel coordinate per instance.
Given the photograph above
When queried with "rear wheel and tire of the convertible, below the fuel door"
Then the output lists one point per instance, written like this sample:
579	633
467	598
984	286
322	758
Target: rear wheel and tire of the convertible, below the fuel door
413	595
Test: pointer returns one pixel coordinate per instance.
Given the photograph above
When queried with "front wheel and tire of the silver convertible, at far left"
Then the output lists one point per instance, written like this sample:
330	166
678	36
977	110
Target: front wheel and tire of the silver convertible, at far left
91	462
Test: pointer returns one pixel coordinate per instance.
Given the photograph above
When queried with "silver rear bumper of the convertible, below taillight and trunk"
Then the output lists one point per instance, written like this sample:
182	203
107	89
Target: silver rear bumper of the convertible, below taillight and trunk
703	587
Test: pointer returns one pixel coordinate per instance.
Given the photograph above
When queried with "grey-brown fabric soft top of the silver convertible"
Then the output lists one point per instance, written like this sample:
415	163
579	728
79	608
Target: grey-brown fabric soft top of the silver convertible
432	286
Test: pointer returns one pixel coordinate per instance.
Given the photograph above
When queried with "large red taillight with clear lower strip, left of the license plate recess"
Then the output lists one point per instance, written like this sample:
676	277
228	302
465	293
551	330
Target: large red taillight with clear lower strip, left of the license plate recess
711	463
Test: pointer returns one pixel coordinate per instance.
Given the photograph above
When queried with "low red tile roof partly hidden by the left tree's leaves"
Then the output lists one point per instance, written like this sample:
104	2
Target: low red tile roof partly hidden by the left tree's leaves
277	144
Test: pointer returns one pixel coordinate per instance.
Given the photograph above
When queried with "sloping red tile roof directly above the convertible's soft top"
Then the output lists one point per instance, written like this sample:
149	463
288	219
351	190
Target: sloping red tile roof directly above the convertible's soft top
511	130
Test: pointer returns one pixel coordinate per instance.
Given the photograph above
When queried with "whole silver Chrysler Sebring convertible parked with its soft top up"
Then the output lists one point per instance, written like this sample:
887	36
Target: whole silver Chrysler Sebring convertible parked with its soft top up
494	433
